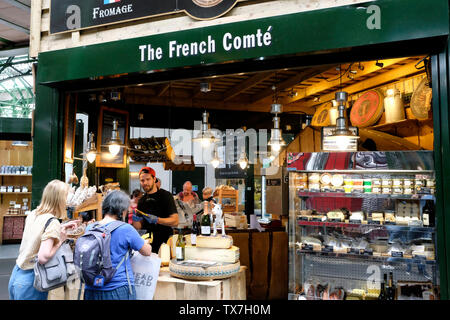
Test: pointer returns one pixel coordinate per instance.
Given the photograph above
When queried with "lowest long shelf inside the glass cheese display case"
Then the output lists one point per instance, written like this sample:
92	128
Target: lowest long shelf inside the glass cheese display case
380	259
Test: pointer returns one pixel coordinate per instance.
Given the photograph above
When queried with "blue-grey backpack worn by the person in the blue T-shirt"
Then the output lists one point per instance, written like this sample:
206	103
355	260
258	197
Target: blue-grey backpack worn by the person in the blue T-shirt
92	255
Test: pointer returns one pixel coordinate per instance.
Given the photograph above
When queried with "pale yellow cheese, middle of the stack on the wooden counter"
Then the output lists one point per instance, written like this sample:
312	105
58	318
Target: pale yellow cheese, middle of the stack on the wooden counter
230	255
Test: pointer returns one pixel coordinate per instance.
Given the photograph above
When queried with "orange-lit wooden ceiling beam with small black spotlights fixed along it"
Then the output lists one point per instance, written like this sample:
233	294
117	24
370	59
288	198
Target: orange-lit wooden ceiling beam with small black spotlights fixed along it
326	84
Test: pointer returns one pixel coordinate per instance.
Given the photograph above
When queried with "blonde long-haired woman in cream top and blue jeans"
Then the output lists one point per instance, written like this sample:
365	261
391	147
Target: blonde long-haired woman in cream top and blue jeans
39	243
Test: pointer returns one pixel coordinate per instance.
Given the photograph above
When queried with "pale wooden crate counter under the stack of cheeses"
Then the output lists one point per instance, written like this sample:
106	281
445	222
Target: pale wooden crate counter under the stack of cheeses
171	288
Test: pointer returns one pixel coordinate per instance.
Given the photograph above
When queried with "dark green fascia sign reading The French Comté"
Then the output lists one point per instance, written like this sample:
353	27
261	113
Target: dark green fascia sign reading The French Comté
342	27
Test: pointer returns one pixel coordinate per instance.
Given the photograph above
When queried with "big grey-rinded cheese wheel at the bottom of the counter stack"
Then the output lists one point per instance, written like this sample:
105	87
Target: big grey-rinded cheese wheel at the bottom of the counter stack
218	271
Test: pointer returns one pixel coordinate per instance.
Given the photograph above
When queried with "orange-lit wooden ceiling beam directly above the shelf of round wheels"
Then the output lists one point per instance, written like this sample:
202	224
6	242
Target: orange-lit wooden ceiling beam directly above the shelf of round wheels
382	79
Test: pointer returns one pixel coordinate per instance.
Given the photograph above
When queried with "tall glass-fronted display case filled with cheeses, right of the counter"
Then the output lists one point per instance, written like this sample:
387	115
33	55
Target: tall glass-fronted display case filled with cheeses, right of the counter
356	218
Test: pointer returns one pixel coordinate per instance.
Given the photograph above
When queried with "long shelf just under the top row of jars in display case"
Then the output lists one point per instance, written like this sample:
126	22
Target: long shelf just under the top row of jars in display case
307	194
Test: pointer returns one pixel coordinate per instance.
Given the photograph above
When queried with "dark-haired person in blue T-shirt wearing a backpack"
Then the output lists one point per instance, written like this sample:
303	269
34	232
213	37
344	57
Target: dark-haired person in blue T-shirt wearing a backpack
115	281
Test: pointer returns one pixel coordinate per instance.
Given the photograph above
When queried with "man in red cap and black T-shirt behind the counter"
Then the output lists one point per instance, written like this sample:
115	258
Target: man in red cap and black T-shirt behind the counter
159	208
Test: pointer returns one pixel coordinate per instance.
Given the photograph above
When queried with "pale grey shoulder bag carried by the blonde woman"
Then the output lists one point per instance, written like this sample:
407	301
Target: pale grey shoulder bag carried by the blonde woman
57	271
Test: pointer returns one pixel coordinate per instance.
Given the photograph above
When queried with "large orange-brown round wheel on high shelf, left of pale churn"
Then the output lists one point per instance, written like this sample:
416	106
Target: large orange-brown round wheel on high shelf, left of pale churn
368	109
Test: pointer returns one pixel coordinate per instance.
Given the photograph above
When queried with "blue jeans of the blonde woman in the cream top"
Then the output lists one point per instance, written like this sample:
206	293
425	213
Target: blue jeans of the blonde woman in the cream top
20	286
